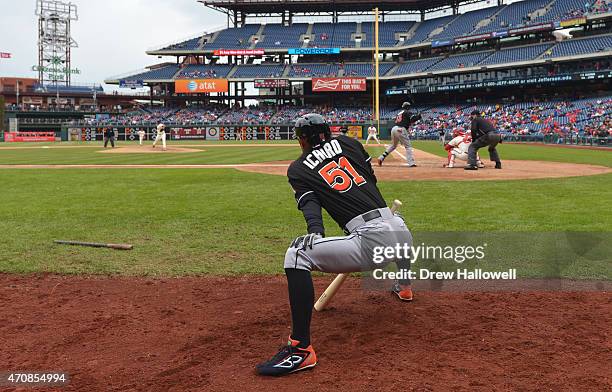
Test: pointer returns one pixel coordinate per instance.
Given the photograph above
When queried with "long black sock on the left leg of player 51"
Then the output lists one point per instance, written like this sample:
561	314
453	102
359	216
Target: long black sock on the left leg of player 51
301	299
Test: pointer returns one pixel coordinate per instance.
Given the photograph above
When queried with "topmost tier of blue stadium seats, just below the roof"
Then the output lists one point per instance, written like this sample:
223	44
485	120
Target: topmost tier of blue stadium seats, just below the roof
483	23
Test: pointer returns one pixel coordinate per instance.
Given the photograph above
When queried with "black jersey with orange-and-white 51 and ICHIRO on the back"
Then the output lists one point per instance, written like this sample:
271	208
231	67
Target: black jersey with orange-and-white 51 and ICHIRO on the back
339	176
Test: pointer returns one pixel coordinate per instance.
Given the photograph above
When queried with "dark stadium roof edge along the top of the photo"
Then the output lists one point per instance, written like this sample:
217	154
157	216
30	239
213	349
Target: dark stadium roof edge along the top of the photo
311	6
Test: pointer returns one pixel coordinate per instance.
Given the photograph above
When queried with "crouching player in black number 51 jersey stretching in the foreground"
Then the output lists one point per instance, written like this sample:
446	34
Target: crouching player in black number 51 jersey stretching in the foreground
334	174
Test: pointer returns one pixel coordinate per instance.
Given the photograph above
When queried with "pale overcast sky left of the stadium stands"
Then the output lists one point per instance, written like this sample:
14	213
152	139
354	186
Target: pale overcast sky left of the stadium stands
112	35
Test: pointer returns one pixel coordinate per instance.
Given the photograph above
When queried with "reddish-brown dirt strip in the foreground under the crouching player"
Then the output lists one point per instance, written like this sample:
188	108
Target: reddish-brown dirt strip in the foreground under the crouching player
207	334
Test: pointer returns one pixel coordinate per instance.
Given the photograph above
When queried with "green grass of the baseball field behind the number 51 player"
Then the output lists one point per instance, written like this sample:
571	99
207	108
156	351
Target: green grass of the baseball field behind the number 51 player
223	221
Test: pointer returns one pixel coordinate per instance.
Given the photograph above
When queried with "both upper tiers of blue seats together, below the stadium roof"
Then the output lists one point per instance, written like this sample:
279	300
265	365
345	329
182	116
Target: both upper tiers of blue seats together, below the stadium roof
480	45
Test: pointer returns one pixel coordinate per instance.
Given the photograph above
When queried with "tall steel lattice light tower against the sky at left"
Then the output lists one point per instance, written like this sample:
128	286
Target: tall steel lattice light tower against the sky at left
54	41
